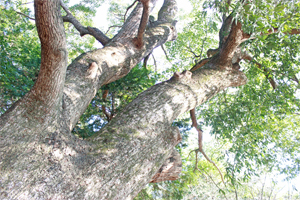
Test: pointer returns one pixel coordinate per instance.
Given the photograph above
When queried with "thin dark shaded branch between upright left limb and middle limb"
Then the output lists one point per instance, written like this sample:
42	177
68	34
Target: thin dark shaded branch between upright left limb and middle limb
96	33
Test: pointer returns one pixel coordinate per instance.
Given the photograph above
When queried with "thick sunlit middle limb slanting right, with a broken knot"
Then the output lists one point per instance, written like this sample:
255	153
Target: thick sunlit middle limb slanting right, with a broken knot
97	68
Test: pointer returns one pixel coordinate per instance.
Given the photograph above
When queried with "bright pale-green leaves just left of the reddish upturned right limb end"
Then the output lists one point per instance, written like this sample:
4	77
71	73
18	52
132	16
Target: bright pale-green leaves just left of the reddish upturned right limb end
183	53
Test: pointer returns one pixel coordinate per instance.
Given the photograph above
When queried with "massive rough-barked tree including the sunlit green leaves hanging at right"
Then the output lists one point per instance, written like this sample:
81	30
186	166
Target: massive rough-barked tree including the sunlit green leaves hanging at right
42	159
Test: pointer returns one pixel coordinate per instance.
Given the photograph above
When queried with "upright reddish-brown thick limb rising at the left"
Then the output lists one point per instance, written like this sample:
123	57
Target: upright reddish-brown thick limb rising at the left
49	85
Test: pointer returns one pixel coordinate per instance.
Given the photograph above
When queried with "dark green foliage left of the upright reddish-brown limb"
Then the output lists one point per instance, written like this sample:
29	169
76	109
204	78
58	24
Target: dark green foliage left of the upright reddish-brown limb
19	53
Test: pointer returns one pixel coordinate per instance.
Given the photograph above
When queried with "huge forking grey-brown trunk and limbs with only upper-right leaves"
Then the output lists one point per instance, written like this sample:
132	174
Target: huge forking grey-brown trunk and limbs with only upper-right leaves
41	159
